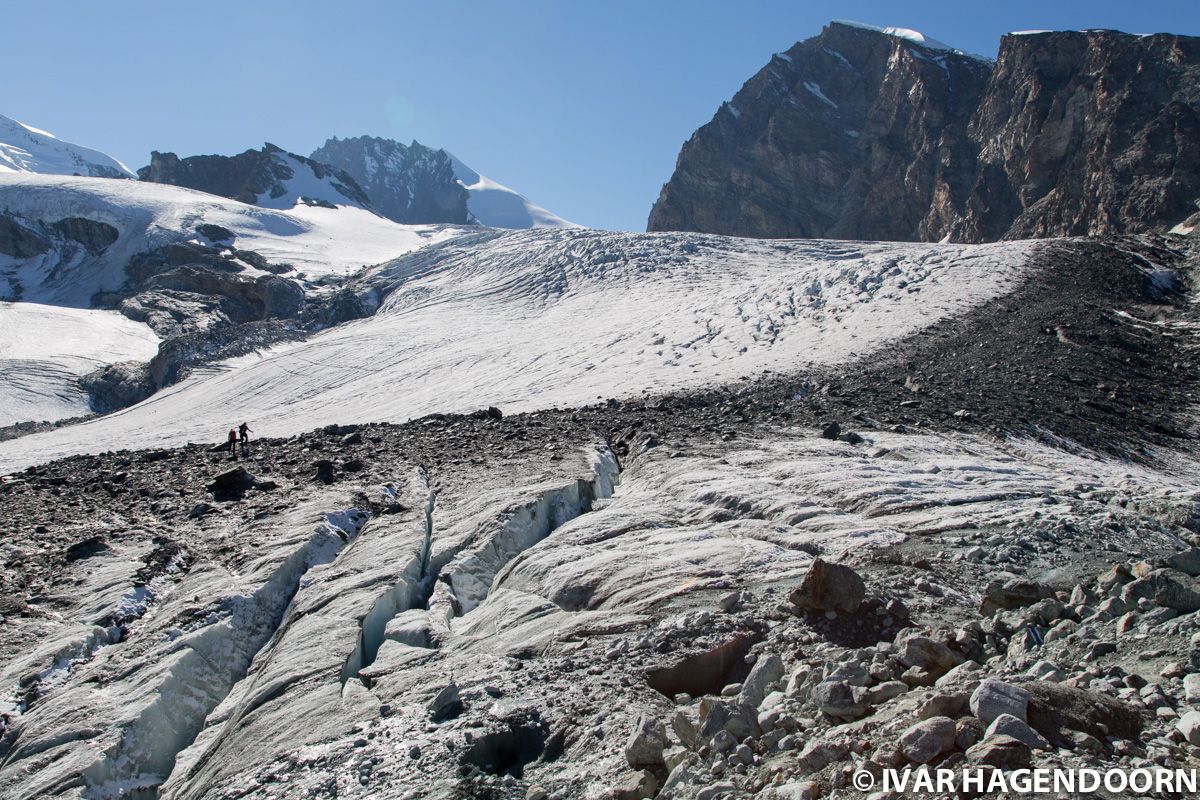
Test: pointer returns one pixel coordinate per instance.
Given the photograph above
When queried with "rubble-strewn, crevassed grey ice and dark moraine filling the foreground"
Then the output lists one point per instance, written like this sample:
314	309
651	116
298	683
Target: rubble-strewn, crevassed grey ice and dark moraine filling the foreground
991	561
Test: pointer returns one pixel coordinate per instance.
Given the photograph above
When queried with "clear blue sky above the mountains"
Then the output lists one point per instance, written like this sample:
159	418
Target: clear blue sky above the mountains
581	106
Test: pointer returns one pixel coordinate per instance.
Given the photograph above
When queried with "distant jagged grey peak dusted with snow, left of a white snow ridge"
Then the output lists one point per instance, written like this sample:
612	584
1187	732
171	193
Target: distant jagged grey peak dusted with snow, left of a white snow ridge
410	184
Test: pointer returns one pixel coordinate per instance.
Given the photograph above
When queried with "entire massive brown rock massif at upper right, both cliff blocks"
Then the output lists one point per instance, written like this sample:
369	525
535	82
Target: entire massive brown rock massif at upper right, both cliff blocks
861	135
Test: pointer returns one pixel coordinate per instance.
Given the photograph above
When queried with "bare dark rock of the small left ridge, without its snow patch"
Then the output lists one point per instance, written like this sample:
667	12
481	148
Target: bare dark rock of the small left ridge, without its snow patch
248	176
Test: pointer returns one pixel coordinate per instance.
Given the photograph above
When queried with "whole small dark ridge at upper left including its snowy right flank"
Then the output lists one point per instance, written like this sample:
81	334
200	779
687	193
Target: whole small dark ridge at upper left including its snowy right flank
271	178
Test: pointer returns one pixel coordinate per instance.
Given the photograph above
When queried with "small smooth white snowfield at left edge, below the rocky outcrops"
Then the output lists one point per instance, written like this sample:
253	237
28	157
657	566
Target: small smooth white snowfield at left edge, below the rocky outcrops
46	350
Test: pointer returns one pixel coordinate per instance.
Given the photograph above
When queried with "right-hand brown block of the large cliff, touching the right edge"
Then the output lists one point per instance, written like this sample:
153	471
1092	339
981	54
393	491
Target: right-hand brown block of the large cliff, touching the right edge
1085	134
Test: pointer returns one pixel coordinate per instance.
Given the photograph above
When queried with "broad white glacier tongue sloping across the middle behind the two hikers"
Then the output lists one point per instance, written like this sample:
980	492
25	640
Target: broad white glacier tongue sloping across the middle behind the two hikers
539	320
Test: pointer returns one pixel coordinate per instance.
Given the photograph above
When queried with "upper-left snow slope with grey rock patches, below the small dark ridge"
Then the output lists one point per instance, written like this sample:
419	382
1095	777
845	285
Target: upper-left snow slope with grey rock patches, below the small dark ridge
316	240
